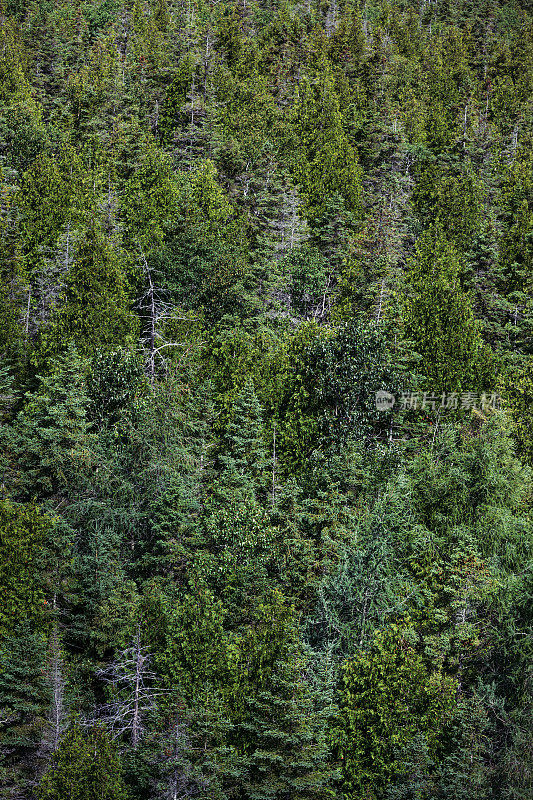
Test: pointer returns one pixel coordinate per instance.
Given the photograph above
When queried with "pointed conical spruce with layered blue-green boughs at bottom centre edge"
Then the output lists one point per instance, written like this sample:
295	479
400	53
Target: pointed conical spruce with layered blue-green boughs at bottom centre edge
282	750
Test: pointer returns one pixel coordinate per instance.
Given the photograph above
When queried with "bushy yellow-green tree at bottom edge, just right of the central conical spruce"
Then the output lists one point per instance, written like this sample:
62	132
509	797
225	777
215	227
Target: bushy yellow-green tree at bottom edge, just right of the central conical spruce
390	697
